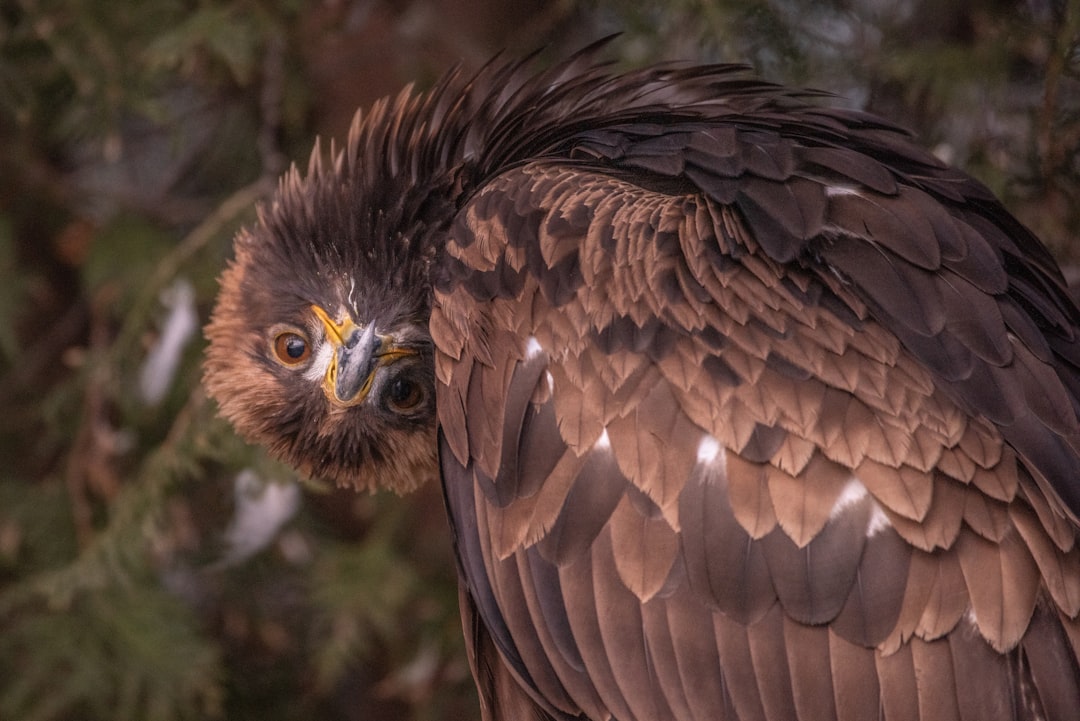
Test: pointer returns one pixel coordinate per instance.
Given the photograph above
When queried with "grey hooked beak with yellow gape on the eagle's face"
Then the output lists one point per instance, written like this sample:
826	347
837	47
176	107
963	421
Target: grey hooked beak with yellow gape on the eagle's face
359	352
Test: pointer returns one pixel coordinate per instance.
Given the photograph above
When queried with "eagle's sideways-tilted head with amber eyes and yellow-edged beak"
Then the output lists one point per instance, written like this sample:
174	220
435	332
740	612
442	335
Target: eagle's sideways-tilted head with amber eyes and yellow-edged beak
319	343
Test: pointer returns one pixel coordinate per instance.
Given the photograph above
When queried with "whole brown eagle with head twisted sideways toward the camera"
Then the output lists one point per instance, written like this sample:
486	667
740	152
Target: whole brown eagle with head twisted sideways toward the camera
747	409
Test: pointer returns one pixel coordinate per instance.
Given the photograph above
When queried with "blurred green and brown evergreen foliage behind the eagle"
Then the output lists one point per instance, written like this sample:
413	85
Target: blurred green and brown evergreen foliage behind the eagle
153	567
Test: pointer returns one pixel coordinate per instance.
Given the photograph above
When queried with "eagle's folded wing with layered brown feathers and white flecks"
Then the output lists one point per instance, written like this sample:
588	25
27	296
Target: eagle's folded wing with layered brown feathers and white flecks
736	376
